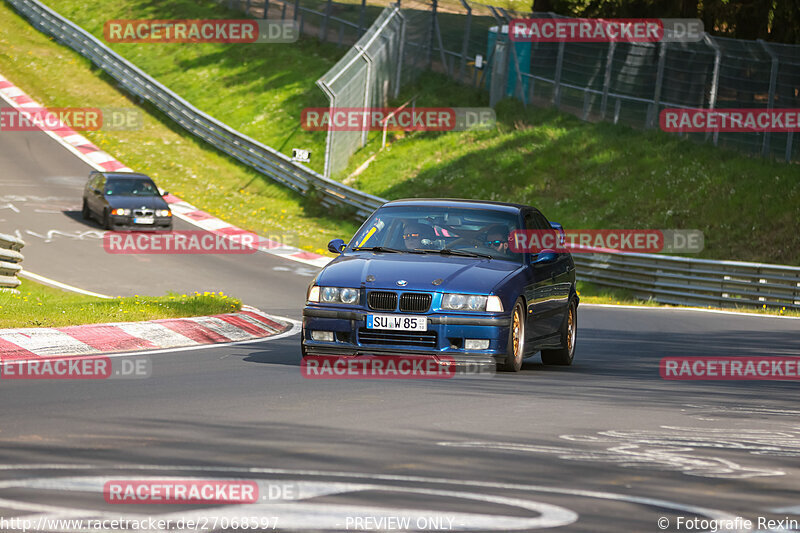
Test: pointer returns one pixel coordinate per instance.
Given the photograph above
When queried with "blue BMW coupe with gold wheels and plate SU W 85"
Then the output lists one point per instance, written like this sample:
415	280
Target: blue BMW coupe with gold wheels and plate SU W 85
437	277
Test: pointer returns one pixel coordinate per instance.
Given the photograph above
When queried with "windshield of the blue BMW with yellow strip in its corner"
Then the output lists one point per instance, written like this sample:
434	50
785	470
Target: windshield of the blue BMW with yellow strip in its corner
435	229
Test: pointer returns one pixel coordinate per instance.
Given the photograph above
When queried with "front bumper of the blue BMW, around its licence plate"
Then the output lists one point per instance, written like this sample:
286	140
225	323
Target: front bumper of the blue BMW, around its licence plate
445	336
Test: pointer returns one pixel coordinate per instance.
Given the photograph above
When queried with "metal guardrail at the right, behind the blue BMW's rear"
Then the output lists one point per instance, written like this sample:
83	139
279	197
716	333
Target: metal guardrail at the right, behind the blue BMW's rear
690	281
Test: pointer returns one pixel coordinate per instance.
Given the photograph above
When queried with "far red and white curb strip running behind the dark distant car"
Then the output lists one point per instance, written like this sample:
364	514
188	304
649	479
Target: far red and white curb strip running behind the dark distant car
102	161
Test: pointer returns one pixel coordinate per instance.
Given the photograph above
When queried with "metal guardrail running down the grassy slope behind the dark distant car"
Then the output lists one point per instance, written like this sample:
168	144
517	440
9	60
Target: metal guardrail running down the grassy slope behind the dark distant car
262	158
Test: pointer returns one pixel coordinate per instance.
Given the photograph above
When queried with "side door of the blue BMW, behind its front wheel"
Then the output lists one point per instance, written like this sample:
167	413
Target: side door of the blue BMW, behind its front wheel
538	289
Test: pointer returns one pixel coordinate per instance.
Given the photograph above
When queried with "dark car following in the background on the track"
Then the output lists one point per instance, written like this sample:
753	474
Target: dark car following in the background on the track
125	200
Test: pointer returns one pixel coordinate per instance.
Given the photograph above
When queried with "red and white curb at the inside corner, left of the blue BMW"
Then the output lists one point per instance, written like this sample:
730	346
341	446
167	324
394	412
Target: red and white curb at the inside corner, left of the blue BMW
249	324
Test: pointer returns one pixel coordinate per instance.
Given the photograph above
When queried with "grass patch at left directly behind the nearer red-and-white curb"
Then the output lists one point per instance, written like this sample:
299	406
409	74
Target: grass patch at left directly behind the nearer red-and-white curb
37	305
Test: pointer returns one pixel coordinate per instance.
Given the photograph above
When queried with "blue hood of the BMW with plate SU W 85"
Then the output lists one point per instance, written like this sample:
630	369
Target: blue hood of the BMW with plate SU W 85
457	274
